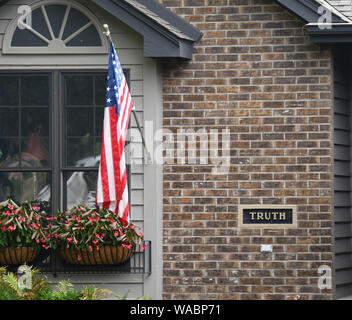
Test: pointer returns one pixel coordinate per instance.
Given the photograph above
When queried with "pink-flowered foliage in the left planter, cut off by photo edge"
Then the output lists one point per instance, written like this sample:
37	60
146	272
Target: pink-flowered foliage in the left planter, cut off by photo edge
22	226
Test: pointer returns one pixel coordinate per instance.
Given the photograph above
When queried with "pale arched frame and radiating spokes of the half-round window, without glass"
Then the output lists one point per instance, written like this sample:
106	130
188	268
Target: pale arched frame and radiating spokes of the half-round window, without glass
55	47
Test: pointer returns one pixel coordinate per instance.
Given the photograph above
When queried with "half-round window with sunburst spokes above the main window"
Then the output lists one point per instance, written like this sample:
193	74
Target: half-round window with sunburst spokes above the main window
55	28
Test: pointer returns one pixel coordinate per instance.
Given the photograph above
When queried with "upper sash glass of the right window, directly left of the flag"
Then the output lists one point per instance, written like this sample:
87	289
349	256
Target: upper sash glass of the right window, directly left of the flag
84	119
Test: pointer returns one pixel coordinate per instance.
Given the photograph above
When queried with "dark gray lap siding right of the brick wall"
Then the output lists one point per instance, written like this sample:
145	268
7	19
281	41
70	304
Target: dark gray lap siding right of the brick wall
342	175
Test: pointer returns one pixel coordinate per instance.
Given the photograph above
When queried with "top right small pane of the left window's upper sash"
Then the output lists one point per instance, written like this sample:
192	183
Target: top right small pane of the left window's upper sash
35	91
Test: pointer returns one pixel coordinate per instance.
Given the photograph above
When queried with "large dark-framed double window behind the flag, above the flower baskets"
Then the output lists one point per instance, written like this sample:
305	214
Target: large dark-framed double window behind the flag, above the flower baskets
50	136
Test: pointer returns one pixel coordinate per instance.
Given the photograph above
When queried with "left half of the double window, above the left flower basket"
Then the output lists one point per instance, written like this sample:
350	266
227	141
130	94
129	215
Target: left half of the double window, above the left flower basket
25	139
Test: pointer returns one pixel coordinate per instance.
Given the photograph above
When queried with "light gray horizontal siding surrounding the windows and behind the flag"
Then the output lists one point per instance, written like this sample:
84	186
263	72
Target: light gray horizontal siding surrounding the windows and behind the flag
129	46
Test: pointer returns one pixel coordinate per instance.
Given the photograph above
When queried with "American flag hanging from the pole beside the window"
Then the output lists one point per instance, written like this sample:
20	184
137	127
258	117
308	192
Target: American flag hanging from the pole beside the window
112	190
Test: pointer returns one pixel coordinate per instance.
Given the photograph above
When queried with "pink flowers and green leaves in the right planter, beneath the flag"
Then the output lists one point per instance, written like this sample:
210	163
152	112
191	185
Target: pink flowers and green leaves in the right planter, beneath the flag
87	229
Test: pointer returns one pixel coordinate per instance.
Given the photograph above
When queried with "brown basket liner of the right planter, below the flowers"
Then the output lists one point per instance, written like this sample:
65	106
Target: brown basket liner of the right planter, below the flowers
106	255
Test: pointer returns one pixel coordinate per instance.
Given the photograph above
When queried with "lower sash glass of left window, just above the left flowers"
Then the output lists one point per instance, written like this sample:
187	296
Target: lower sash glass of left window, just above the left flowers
25	186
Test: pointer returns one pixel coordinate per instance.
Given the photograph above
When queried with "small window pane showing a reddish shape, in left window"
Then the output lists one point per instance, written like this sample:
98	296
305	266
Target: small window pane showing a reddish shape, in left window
35	152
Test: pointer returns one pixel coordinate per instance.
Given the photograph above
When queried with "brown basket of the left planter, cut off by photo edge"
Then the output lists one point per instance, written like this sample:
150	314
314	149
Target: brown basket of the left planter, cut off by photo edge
17	256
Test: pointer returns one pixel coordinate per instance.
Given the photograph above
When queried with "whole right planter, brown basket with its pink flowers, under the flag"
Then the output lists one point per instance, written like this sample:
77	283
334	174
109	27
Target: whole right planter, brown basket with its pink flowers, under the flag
93	236
